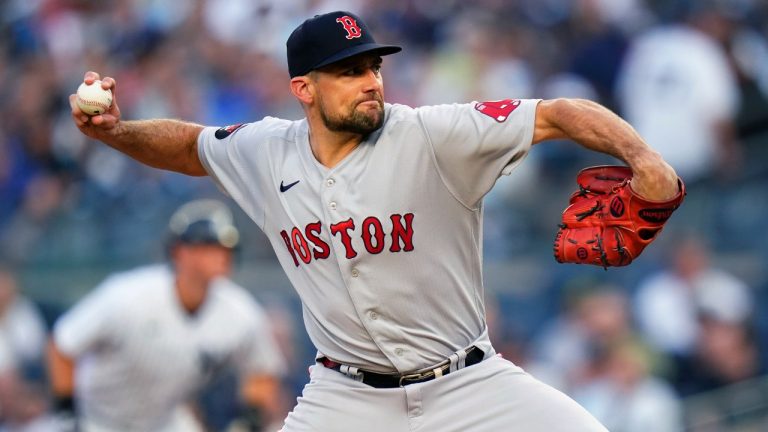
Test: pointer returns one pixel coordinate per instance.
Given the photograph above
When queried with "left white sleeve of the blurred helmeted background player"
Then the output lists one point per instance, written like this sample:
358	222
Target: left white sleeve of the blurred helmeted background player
90	322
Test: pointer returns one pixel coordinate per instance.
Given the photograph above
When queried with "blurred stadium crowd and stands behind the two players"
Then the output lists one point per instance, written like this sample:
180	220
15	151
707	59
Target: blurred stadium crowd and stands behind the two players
676	341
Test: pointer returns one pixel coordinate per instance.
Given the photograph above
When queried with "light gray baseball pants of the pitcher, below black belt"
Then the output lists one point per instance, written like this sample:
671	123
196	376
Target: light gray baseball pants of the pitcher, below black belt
494	395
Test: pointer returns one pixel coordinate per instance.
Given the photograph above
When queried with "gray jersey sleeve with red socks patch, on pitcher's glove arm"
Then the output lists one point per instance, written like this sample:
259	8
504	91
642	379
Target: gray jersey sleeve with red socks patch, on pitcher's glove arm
476	143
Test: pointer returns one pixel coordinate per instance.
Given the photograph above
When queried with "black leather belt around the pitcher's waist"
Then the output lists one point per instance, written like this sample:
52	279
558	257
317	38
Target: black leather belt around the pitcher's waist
374	379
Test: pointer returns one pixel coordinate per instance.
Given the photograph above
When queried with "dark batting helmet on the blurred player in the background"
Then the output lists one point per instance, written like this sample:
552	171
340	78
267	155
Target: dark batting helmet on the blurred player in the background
203	221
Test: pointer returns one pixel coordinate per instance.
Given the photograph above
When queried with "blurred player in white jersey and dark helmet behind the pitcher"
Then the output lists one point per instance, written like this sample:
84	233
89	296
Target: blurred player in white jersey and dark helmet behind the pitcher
136	350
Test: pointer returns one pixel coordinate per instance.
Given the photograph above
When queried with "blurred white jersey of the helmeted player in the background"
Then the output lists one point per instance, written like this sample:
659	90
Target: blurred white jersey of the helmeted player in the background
139	355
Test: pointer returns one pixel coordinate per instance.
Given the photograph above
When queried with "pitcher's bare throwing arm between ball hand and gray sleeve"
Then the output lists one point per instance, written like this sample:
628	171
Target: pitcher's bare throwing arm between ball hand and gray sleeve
165	144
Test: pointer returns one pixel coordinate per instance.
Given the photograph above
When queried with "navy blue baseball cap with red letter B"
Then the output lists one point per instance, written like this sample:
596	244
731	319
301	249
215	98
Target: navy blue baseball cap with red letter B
328	38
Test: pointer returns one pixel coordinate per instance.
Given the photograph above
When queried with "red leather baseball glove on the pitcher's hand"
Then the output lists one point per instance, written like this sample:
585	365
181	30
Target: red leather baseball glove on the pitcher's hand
606	223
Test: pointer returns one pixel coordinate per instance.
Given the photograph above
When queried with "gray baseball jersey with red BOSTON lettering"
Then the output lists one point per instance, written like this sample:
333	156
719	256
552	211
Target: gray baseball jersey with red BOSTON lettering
384	249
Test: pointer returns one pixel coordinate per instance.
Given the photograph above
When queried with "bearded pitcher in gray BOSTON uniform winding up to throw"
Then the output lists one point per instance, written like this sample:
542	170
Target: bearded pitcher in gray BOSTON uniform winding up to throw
375	213
